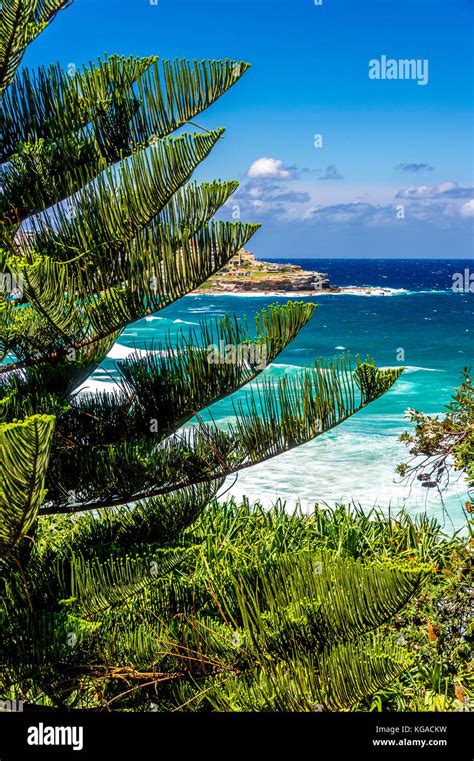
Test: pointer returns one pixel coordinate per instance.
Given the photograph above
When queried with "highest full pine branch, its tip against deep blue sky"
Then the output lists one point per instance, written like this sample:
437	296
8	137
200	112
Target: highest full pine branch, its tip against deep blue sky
56	151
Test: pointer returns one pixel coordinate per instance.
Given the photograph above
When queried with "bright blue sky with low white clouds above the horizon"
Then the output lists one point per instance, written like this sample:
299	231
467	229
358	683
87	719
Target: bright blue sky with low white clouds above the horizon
394	175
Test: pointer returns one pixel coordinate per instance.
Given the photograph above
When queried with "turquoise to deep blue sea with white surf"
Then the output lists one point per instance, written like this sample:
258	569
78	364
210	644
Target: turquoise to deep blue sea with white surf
422	316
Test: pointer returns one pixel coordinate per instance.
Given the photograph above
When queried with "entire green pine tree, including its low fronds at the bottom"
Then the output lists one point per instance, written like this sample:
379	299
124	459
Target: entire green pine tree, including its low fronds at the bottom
115	597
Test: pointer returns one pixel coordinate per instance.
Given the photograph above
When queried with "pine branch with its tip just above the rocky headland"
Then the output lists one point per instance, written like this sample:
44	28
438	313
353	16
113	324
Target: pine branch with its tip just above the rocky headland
157	276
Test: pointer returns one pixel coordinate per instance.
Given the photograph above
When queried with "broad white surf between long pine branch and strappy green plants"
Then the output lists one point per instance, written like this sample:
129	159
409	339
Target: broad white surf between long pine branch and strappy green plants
343	466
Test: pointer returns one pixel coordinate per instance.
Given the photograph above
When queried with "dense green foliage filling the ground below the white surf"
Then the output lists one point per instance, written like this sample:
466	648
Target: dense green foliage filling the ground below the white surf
248	609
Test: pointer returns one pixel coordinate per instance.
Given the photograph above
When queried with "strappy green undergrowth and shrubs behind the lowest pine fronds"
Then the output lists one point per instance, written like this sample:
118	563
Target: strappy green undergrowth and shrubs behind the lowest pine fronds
435	627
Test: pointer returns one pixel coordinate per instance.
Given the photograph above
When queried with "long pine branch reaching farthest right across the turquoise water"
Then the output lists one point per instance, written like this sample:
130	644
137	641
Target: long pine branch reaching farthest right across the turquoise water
275	419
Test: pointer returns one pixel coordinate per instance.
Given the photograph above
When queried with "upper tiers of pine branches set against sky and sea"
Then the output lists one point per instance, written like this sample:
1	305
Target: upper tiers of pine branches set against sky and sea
99	227
